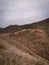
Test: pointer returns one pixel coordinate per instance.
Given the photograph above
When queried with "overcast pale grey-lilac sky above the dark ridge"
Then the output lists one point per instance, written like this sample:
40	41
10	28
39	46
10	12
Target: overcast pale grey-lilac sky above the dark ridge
22	12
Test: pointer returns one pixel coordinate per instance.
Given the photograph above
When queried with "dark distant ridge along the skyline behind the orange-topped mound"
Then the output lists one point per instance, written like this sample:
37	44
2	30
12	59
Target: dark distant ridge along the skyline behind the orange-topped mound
44	25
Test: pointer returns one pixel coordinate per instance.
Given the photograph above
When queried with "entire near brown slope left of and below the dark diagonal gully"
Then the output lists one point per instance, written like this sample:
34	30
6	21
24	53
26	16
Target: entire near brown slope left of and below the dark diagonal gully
14	53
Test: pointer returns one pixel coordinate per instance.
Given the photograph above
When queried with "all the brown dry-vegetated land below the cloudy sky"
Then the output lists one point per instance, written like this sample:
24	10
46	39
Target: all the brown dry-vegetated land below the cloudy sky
25	45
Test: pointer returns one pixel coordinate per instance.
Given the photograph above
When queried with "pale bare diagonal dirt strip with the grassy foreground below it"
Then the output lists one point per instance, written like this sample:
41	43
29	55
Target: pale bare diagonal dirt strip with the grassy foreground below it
10	55
